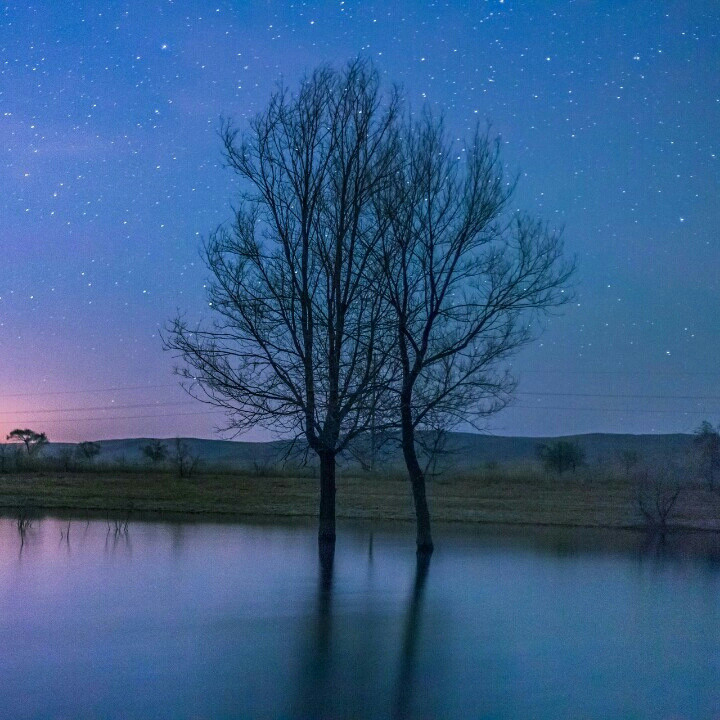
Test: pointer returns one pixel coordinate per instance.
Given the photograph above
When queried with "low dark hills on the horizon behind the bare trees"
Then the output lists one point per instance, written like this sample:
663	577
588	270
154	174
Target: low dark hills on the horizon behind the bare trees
465	451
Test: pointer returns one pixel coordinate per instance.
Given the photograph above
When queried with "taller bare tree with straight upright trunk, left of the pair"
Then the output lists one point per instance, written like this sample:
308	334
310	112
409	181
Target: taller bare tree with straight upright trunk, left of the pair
298	341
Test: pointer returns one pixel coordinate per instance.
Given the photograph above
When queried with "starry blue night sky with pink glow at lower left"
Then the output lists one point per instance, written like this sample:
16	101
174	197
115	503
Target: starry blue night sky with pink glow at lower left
111	173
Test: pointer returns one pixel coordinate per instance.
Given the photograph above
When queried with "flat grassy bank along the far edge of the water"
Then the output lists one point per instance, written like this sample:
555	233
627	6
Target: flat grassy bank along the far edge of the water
534	498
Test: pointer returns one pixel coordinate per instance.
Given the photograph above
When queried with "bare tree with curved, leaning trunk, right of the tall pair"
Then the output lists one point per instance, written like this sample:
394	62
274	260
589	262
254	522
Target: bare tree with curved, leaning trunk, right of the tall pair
464	279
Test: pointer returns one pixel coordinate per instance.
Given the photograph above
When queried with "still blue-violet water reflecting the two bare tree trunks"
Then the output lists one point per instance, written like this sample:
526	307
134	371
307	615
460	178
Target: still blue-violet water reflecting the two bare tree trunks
232	621
